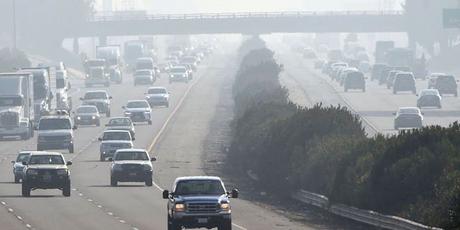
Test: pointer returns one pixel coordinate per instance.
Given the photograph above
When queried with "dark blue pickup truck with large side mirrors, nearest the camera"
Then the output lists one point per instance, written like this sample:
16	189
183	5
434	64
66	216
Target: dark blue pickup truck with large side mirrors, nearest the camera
199	202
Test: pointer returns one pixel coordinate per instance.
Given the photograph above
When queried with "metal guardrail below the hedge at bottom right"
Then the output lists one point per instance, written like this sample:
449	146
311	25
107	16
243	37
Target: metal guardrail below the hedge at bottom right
363	216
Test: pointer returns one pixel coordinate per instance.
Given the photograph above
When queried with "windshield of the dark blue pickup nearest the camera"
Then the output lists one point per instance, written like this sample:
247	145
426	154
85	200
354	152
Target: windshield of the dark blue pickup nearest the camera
199	187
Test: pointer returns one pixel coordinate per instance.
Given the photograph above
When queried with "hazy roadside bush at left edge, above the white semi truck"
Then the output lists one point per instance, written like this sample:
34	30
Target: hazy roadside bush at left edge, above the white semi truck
10	59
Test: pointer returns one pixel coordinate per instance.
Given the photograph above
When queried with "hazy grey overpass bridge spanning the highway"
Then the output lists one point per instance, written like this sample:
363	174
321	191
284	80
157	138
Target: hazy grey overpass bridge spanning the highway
125	23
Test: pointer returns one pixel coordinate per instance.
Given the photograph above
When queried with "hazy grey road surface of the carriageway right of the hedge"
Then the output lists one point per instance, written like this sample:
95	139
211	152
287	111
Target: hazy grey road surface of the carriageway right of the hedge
308	86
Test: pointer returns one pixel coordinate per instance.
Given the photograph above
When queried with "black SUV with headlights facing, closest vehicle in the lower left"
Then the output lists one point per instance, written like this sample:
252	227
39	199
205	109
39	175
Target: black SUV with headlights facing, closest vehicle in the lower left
46	170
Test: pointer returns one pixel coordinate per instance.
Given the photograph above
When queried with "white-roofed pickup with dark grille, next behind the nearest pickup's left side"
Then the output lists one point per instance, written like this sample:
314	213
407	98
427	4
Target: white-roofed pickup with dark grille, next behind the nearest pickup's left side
131	165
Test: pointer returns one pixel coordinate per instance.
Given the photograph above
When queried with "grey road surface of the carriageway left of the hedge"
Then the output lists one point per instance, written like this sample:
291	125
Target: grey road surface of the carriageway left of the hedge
176	138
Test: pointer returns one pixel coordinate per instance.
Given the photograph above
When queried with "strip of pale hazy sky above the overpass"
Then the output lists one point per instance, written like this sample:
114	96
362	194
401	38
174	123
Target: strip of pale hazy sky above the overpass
189	6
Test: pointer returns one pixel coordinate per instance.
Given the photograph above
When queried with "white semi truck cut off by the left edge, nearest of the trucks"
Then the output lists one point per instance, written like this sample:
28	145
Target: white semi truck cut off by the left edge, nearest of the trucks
17	114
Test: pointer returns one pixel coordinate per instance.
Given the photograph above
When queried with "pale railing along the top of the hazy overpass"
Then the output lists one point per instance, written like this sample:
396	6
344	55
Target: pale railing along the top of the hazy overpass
143	15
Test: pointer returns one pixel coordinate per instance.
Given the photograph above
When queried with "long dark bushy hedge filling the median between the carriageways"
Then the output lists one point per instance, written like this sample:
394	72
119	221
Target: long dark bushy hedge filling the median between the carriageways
415	174
